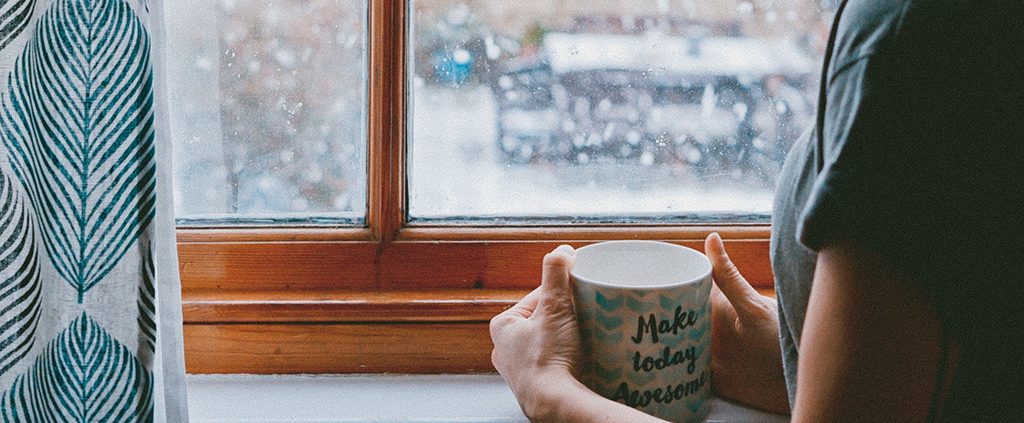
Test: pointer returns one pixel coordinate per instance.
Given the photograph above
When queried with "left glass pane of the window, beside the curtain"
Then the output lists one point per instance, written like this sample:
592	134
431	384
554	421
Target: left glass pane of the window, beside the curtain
268	106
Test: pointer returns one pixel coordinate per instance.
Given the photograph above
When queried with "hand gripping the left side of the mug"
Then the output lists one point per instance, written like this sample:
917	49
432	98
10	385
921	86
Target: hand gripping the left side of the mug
537	343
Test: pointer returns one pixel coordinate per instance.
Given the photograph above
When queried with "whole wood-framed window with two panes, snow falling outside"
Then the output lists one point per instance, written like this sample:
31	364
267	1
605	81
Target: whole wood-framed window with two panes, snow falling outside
360	180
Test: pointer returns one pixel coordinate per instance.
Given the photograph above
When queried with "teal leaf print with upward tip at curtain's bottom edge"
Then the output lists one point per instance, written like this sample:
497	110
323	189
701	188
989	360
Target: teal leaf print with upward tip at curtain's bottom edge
84	375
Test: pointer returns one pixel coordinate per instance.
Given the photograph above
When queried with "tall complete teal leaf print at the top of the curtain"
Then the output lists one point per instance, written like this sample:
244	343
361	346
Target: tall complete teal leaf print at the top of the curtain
78	124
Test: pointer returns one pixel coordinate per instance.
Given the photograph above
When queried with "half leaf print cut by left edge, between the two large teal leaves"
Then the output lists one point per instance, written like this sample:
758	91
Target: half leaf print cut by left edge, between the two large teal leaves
20	285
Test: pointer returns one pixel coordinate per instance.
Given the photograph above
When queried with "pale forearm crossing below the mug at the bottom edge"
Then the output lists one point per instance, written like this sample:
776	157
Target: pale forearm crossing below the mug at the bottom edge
577	404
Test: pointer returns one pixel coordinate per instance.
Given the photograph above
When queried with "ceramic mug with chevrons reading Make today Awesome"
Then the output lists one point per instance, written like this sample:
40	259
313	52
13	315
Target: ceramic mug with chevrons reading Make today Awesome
646	326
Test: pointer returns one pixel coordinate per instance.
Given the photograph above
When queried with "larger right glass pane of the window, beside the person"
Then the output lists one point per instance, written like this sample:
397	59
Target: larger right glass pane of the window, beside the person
608	110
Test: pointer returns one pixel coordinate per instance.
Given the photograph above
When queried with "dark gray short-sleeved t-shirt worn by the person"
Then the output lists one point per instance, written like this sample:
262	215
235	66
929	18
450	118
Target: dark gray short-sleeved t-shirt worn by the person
918	154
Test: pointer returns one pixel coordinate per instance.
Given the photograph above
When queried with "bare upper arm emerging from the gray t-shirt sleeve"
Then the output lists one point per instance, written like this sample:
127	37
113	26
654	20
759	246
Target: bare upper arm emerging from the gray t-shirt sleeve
871	347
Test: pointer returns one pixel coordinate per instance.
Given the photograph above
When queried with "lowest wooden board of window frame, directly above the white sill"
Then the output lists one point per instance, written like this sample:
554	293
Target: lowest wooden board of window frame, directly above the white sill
338	349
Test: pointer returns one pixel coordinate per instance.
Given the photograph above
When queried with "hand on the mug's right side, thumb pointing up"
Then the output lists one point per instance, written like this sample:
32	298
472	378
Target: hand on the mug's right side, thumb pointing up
747	362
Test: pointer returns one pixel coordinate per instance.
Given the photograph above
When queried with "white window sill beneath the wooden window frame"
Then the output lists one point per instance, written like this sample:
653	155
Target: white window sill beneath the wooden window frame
375	399
